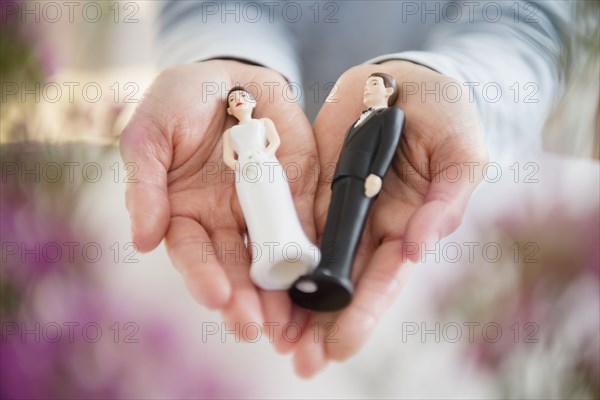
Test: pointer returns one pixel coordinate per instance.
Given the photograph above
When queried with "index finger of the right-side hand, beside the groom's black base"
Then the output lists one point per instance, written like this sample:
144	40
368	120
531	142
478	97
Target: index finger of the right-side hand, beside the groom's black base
377	289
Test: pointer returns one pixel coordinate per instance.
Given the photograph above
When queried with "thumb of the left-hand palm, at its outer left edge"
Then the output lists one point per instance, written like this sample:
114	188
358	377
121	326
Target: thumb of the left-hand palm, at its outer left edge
148	156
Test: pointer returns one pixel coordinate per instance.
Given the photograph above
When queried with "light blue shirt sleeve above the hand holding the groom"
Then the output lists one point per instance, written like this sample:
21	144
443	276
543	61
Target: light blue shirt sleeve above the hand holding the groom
507	55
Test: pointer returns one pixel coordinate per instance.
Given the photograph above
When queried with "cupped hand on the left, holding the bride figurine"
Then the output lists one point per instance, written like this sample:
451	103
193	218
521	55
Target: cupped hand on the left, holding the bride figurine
184	193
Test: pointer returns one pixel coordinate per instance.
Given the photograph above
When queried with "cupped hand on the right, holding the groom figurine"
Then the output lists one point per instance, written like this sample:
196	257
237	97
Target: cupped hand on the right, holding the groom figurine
437	166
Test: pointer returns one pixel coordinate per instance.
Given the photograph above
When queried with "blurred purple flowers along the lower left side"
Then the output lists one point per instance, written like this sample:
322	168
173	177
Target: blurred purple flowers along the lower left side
129	349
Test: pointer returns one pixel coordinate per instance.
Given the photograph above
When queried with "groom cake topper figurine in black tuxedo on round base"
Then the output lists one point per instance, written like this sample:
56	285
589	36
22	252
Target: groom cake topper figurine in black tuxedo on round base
366	155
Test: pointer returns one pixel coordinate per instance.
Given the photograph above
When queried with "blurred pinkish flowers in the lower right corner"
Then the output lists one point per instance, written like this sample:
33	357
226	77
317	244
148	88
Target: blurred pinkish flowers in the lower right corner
545	300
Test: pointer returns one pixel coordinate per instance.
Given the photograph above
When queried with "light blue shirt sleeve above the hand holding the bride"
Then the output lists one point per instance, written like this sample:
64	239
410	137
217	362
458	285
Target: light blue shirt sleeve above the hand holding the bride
251	31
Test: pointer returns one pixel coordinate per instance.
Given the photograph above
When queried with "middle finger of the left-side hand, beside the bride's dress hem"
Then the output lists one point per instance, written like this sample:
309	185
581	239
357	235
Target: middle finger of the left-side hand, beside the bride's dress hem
244	307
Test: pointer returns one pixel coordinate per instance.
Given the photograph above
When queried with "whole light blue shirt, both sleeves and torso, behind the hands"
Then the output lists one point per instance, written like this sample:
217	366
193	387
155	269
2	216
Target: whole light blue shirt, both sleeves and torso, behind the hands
504	54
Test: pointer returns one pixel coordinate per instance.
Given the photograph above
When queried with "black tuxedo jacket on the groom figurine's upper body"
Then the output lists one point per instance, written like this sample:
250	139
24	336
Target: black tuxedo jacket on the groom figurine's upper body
370	147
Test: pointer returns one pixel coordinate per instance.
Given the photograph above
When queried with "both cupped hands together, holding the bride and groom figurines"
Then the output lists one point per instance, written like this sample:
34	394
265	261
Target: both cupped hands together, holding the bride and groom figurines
185	194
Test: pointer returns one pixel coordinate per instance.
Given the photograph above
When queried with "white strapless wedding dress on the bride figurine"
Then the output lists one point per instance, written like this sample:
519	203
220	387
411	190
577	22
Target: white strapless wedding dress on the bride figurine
280	250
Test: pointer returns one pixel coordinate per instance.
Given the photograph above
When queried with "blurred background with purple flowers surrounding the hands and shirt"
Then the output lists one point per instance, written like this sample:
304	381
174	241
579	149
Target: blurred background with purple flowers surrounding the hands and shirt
506	307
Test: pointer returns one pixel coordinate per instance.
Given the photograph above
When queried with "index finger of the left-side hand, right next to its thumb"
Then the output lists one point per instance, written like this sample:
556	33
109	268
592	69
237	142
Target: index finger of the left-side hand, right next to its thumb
194	256
